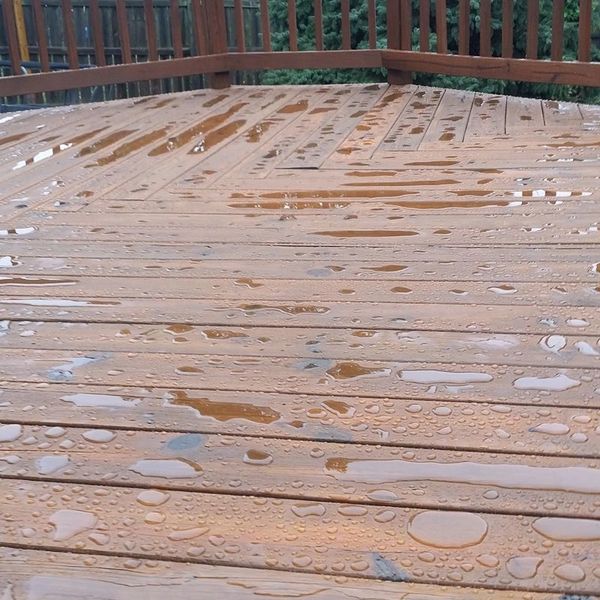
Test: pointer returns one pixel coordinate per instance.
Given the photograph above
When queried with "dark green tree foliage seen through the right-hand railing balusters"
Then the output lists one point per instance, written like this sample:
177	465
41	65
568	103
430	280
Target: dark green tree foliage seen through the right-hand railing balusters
359	29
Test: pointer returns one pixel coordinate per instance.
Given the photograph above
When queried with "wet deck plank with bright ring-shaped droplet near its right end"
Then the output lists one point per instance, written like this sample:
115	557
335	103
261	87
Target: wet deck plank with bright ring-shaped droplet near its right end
575	351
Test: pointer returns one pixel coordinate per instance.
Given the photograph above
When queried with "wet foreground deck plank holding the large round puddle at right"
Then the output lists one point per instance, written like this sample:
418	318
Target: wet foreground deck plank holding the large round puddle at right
387	543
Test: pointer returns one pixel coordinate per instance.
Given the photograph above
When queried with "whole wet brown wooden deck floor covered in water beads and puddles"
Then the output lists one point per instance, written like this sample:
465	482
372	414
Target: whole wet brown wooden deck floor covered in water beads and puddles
325	342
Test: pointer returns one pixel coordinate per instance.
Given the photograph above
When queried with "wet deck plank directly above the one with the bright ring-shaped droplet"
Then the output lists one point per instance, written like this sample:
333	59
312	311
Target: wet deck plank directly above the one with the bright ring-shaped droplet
297	314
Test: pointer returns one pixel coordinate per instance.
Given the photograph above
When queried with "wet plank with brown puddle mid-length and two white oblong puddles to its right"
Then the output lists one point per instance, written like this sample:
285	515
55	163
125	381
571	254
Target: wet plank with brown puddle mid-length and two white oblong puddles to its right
473	382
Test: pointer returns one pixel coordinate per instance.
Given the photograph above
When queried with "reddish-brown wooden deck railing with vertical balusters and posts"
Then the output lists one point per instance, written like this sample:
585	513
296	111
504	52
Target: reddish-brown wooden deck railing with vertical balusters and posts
397	38
